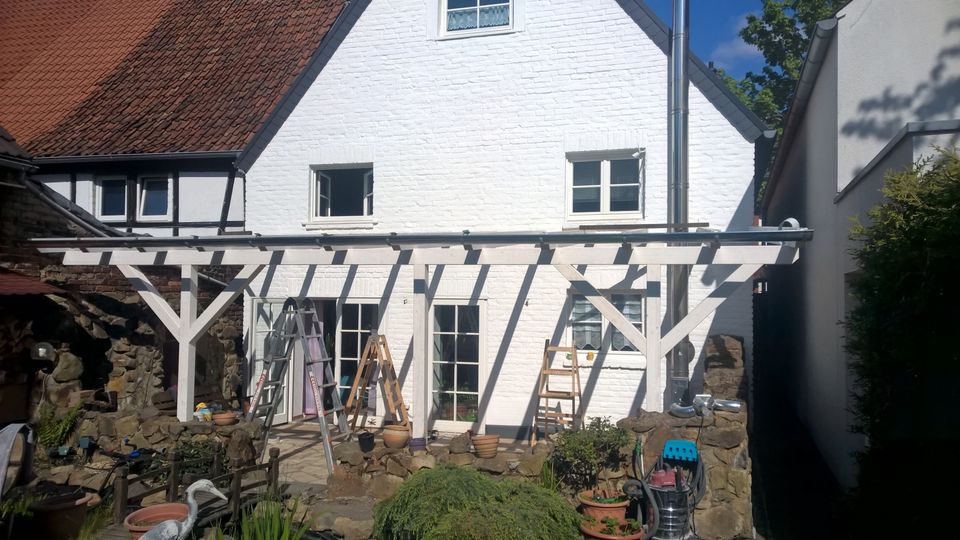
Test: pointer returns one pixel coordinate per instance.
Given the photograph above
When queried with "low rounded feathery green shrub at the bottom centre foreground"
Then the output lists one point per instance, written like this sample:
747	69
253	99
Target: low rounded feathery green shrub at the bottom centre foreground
457	502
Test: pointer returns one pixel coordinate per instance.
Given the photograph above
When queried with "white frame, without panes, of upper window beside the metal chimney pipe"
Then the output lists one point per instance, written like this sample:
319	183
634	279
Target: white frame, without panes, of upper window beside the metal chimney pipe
605	215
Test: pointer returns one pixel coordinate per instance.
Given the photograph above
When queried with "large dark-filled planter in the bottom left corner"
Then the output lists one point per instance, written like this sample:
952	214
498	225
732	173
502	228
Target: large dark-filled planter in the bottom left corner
55	518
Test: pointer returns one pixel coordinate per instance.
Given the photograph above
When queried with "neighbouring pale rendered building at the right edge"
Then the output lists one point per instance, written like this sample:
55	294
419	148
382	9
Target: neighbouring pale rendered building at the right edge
878	91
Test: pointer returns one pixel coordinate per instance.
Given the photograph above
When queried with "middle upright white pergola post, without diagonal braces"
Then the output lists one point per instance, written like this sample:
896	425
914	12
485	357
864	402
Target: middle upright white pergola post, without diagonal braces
421	364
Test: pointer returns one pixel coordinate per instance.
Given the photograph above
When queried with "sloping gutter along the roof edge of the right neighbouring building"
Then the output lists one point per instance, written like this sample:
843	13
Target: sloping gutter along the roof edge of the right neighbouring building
822	37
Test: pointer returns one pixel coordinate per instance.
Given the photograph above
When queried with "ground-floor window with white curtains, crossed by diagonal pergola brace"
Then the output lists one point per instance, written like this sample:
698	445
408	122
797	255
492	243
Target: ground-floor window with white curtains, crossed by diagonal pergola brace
587	325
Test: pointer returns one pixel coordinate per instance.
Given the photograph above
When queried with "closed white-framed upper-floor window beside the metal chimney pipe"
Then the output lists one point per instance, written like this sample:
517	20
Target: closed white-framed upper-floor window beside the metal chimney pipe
604	185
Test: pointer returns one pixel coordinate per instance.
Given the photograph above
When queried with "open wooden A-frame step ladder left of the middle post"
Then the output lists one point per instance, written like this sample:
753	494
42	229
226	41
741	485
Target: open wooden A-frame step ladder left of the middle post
376	361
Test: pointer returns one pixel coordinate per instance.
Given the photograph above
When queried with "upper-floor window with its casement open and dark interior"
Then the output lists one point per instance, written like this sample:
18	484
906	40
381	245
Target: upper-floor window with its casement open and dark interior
342	193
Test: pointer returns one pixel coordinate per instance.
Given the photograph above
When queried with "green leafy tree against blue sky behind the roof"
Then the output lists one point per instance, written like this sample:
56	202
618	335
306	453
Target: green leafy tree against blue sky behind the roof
782	34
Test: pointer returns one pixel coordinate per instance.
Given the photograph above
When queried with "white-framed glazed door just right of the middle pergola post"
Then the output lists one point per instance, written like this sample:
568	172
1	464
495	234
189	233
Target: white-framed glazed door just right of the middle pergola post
457	359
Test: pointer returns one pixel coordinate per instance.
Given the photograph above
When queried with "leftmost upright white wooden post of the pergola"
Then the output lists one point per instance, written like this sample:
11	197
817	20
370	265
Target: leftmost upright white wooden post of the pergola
187	355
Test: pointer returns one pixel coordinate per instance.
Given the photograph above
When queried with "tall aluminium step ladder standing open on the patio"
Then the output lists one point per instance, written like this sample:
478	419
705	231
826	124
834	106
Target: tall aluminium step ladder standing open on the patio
298	325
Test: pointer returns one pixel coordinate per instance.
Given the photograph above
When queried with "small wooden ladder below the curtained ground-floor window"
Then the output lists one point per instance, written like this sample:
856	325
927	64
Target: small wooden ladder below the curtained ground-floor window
547	414
